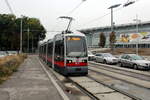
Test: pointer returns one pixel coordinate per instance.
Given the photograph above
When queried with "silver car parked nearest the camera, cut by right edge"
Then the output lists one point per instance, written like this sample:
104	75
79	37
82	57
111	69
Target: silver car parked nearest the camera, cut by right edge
134	61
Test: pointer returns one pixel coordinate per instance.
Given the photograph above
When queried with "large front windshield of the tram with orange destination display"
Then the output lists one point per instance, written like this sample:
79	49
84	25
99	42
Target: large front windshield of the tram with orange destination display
76	46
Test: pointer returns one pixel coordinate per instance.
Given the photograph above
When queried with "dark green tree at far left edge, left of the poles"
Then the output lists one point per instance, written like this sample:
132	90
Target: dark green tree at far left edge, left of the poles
7	31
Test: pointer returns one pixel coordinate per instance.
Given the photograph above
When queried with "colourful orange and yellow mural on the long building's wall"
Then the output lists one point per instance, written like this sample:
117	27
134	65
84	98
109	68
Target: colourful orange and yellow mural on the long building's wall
133	37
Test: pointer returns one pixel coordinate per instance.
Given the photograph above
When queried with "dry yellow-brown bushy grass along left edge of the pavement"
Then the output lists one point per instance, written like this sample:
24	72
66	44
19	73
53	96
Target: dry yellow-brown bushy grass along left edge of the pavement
10	64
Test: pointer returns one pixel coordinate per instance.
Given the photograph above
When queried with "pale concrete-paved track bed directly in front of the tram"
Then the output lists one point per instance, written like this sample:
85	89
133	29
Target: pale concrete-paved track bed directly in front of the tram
100	91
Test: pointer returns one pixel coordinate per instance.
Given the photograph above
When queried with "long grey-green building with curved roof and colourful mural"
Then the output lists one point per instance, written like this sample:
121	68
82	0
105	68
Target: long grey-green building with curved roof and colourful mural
125	34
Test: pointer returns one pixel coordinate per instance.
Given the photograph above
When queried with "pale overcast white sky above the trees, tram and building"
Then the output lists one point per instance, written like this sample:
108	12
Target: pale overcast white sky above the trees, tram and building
88	13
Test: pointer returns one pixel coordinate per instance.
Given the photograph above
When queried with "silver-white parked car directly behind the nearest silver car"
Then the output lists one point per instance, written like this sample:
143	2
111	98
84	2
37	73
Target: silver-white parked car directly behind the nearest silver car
106	58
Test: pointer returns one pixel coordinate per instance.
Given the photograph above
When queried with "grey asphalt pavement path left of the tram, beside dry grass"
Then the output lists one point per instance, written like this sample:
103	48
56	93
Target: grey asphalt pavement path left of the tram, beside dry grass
30	82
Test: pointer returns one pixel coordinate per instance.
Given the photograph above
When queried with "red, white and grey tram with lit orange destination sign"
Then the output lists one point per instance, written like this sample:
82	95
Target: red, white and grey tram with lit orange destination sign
66	53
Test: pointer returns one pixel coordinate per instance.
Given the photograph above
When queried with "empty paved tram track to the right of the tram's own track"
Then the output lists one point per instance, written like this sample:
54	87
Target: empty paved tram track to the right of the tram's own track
134	88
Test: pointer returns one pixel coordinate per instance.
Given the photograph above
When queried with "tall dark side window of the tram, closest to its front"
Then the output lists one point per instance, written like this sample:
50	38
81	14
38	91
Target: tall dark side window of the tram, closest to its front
59	51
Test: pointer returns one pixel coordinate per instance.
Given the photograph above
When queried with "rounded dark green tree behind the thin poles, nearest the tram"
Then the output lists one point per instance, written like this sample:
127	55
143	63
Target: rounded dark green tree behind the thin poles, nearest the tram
36	32
